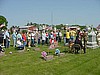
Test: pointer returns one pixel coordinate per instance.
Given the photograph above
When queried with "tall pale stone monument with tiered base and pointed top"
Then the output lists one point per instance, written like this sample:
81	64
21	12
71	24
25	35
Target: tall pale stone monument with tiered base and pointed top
92	43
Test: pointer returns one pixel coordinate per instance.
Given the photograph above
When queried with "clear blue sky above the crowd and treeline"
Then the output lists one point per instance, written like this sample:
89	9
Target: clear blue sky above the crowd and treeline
20	12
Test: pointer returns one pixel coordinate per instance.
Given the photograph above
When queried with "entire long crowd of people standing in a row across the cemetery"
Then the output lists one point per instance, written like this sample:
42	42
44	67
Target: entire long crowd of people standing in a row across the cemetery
35	38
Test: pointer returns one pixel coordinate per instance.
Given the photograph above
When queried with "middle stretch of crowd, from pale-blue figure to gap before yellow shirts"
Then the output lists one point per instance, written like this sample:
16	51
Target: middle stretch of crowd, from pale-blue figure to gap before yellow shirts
36	38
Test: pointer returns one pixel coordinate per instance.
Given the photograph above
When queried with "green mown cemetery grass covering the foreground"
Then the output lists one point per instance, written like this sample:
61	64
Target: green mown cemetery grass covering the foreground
31	63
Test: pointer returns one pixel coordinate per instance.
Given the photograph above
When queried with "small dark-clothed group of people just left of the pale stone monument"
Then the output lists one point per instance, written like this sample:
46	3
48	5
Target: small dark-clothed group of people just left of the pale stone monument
80	36
